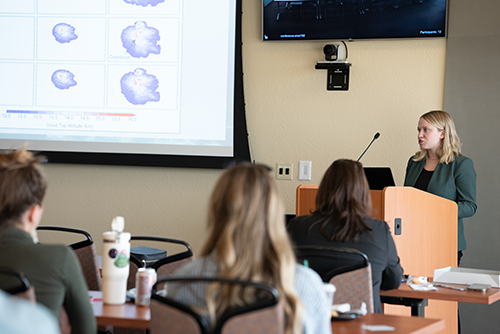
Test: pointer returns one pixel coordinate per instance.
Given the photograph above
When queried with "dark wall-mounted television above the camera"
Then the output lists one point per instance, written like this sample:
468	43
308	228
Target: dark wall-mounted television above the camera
353	19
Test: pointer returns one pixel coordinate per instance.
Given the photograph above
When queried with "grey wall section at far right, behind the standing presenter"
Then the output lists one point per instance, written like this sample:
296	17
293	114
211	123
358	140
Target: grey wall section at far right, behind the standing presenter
471	93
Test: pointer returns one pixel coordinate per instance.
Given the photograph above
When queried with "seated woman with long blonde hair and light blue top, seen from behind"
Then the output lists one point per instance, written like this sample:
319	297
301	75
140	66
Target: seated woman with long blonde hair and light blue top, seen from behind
247	240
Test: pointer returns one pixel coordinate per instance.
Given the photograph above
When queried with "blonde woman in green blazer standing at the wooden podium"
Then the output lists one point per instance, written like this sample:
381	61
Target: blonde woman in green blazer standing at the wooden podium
440	169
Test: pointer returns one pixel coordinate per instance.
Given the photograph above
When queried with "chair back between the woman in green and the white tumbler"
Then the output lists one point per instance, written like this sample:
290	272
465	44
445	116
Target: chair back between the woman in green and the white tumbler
86	253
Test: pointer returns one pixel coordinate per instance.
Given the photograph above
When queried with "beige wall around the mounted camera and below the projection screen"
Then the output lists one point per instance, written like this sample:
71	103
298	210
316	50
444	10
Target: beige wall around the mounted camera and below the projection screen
291	117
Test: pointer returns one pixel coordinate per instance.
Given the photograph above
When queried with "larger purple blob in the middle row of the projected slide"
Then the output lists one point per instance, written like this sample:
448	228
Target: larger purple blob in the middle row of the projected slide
140	40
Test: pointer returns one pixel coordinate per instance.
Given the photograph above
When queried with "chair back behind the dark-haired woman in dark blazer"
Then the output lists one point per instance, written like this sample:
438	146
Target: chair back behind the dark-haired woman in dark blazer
346	268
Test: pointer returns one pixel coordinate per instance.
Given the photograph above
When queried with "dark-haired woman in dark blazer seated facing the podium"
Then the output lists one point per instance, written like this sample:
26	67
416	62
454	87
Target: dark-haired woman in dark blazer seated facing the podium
342	218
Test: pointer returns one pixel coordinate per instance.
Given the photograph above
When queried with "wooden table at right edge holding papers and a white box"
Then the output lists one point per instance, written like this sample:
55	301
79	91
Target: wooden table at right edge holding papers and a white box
417	300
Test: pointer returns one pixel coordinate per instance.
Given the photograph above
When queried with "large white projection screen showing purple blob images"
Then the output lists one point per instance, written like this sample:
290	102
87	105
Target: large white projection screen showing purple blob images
155	82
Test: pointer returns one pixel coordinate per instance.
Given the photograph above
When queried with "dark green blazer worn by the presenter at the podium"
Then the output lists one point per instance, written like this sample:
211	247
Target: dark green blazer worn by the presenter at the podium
455	181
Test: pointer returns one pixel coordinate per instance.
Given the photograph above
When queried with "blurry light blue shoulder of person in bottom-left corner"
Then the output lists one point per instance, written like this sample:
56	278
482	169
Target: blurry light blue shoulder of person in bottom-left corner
20	316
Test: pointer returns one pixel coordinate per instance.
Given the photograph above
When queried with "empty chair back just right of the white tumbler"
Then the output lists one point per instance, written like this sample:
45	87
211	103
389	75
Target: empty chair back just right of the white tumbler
164	267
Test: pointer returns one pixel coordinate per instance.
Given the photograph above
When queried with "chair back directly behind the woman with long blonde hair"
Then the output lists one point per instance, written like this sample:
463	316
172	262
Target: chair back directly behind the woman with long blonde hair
179	305
